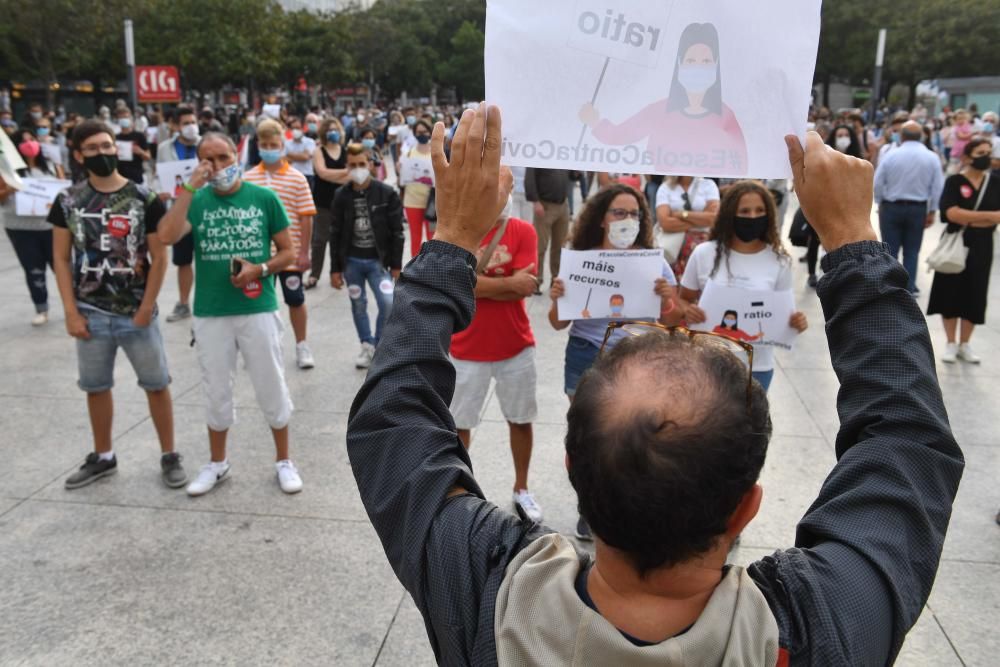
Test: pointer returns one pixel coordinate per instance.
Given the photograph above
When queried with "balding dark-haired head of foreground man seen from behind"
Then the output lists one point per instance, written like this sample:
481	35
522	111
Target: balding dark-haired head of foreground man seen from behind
660	434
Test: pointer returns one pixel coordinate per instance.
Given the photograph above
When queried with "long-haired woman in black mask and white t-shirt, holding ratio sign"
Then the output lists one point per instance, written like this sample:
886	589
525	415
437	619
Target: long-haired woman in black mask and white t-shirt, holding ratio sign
744	251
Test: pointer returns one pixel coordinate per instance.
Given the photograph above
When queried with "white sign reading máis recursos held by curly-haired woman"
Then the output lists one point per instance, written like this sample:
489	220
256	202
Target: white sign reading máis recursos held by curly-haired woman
613	284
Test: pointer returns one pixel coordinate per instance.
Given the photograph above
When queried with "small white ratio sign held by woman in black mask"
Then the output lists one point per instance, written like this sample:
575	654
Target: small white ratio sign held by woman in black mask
753	316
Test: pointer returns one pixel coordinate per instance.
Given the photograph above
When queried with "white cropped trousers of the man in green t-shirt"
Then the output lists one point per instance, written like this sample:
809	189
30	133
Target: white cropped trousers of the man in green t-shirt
258	339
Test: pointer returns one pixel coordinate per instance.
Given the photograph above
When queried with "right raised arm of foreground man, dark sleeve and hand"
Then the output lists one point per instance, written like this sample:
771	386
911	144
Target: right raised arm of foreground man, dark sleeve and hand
868	548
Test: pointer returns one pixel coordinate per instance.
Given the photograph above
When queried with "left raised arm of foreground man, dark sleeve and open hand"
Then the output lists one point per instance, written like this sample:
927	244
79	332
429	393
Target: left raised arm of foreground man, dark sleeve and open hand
443	539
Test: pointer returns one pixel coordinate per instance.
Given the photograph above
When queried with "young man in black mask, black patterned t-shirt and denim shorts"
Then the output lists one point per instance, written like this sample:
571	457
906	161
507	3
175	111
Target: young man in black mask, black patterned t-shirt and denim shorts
110	264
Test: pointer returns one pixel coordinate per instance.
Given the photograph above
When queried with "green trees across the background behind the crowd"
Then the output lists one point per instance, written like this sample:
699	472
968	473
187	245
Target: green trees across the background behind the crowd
417	45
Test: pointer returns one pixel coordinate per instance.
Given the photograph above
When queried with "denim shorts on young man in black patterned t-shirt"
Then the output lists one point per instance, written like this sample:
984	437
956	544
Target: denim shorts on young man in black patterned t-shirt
143	347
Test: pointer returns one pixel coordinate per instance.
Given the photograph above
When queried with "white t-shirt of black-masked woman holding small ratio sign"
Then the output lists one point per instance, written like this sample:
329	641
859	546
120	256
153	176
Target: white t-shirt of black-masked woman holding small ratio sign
761	271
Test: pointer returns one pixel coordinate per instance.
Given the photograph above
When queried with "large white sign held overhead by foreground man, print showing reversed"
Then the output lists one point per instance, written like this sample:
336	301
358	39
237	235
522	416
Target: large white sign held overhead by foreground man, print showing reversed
675	87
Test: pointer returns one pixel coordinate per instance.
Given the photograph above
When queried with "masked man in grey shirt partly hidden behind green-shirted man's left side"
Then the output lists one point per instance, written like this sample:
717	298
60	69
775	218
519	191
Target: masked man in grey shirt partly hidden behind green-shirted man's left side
182	146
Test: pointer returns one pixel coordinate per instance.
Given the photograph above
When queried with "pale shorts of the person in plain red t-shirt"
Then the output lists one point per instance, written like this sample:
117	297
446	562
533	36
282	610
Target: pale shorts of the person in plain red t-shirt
516	382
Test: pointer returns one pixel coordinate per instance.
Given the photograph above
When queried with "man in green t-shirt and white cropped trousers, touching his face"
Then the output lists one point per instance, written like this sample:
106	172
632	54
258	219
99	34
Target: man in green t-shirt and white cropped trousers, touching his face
235	224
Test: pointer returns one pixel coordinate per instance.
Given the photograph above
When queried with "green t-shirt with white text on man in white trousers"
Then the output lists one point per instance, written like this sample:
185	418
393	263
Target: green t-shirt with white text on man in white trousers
238	225
